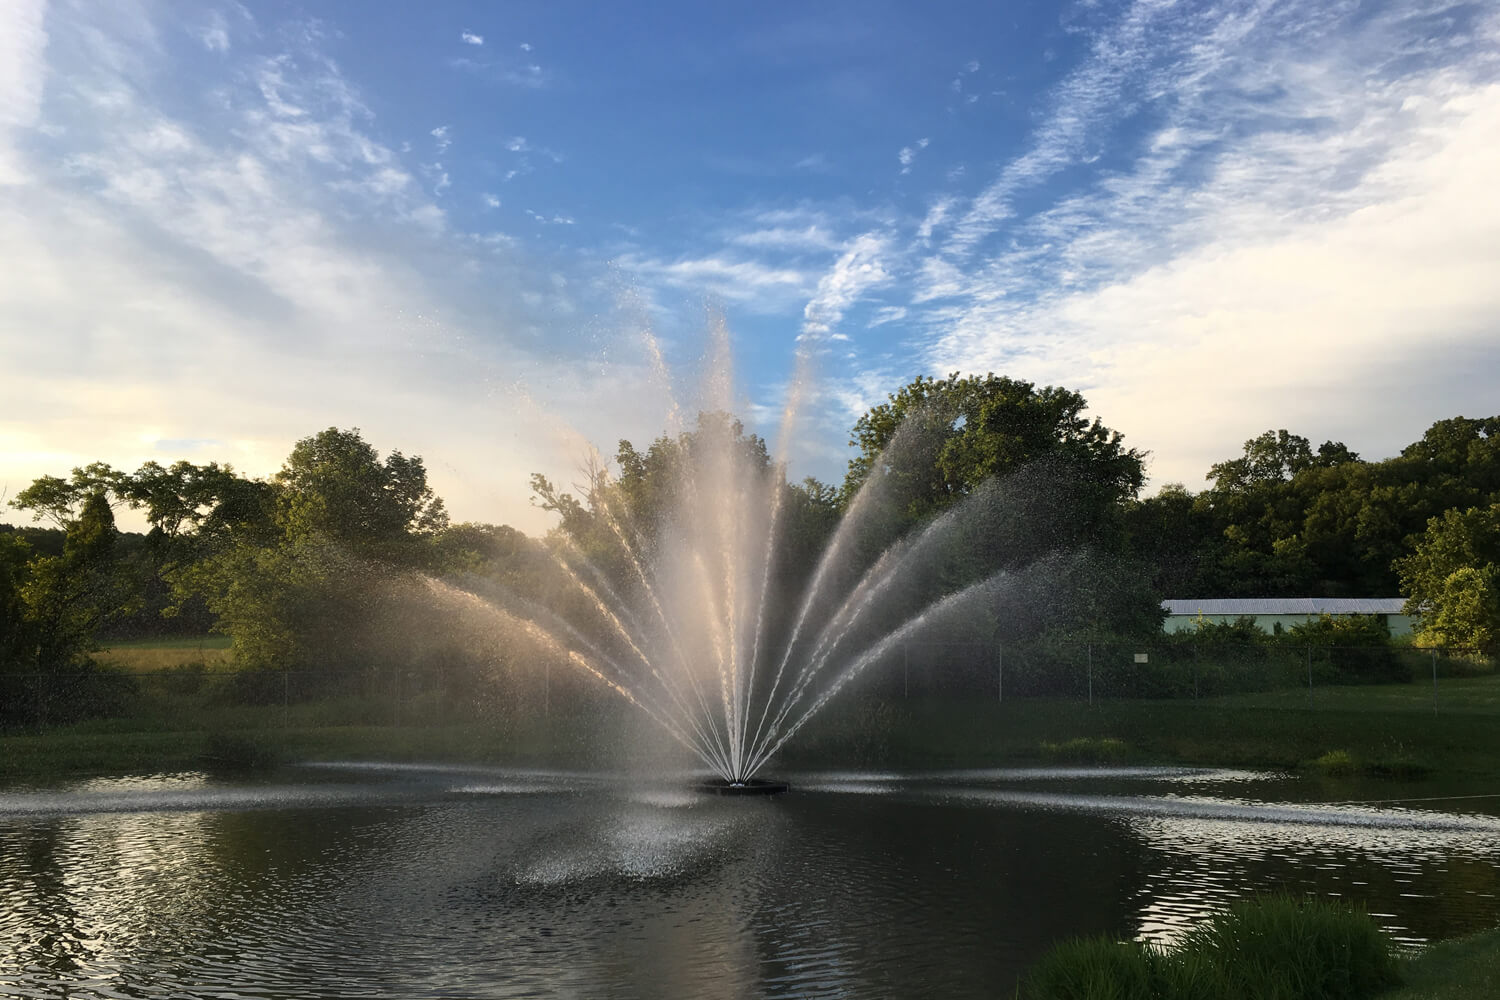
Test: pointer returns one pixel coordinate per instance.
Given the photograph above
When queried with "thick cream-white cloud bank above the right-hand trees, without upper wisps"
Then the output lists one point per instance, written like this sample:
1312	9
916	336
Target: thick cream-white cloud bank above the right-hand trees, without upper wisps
1354	311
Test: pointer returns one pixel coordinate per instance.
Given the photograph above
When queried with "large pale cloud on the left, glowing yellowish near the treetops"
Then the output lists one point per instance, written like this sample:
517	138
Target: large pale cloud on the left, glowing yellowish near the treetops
278	242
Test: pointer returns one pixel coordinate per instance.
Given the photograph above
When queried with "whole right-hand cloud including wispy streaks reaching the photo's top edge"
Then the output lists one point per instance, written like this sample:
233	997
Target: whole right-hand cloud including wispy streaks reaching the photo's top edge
1310	188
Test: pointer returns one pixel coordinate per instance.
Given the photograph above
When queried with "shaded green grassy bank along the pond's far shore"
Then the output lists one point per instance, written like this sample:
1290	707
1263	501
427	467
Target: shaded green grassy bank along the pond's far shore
1360	731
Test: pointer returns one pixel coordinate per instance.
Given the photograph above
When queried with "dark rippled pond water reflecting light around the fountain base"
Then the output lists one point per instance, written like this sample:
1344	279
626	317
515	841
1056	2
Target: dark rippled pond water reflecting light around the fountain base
473	882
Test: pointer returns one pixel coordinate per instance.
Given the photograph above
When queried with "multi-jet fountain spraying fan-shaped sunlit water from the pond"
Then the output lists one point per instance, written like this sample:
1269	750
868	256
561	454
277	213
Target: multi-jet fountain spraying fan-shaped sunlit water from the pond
674	575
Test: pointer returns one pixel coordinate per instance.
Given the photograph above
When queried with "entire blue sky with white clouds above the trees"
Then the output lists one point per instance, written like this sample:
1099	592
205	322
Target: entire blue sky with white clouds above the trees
226	227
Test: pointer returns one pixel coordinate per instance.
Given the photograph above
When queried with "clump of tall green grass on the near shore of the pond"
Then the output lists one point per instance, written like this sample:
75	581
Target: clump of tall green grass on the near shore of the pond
1274	948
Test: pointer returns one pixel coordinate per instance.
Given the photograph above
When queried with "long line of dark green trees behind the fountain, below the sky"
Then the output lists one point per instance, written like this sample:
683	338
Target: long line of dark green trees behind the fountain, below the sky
293	566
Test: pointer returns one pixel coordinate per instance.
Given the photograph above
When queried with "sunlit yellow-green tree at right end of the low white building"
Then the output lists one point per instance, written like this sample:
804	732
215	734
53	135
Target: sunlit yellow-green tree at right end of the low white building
1453	579
